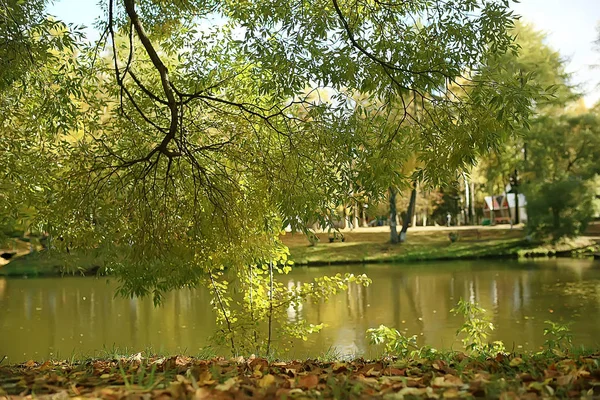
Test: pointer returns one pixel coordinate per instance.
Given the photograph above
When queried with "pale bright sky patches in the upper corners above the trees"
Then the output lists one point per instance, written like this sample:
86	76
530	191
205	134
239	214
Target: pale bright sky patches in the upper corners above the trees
569	24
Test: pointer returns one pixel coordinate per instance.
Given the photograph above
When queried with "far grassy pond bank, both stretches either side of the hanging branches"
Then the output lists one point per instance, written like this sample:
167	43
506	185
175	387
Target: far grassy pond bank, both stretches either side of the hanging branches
360	247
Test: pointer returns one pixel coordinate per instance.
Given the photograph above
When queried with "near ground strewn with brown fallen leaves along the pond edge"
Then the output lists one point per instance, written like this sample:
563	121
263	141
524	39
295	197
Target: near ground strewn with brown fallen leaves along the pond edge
447	376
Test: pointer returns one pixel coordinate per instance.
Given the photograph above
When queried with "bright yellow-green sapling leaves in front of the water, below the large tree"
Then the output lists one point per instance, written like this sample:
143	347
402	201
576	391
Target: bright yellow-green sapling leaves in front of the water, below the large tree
259	320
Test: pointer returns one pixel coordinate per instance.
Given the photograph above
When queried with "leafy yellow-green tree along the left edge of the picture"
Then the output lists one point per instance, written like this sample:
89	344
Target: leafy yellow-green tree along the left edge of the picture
38	76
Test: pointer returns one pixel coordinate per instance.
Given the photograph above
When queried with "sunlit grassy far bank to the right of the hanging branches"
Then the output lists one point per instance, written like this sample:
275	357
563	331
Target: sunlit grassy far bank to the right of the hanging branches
375	247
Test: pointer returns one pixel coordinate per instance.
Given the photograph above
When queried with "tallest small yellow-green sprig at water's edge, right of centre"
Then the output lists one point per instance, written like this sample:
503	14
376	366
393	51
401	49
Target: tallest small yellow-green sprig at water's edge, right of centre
476	328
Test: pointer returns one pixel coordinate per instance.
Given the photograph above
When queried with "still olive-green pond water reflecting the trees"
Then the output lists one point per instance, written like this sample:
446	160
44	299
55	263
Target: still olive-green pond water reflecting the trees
60	317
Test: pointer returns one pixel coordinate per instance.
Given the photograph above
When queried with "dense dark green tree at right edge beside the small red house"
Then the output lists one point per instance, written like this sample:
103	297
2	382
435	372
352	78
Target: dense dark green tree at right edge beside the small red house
561	167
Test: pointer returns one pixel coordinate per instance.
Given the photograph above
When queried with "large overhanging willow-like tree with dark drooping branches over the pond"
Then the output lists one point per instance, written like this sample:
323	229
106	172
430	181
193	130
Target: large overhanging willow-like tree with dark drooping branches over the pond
190	143
